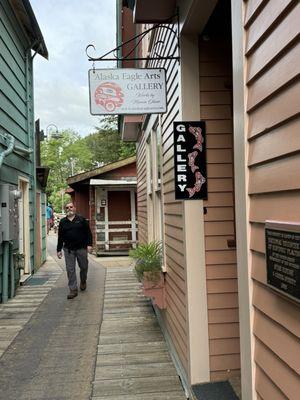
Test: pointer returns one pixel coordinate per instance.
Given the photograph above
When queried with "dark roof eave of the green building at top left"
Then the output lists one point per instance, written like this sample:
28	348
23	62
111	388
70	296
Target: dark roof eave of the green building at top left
26	17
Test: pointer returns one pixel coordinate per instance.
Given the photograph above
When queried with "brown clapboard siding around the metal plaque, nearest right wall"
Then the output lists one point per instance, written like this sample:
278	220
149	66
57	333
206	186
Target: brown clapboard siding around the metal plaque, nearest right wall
273	59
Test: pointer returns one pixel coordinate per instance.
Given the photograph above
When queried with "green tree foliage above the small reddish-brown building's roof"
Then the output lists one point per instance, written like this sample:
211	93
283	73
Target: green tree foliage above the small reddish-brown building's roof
71	154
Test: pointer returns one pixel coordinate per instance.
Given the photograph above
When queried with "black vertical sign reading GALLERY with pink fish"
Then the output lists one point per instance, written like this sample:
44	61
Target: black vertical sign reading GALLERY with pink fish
190	160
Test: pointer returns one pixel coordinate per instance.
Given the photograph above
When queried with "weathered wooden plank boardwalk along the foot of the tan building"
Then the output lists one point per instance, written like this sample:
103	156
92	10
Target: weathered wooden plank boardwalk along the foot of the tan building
133	362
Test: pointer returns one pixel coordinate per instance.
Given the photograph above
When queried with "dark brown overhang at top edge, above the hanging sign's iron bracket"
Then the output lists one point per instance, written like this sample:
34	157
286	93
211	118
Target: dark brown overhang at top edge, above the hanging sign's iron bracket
154	11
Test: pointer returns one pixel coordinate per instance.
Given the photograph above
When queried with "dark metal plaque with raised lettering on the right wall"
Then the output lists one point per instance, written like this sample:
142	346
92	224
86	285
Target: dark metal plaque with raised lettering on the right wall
283	257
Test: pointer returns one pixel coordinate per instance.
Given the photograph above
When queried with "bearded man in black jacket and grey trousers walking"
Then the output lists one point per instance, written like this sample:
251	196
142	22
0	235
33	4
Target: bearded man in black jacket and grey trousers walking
75	238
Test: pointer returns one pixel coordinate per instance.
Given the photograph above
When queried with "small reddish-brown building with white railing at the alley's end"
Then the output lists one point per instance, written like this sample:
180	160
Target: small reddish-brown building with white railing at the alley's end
106	196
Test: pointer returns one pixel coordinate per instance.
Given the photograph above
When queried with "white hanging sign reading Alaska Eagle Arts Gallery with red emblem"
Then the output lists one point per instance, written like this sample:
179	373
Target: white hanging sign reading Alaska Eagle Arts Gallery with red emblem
127	91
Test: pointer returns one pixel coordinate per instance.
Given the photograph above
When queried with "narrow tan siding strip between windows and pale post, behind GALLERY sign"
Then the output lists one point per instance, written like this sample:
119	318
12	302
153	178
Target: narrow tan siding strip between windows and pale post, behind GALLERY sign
175	314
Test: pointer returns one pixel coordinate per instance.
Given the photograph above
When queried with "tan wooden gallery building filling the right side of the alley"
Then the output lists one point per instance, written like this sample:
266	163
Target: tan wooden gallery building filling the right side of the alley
239	73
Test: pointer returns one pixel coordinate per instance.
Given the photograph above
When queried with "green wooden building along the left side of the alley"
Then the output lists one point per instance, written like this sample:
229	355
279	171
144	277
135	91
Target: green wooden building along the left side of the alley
22	206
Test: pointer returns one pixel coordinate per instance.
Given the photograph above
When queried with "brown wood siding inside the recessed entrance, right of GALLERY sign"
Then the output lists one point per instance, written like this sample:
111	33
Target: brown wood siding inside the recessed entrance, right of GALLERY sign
216	110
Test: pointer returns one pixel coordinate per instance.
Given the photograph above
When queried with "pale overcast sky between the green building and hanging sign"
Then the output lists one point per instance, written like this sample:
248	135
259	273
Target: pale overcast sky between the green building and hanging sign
61	83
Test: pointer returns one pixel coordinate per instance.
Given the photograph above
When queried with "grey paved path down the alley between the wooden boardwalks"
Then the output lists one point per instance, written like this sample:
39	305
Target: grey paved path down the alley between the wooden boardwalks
54	356
